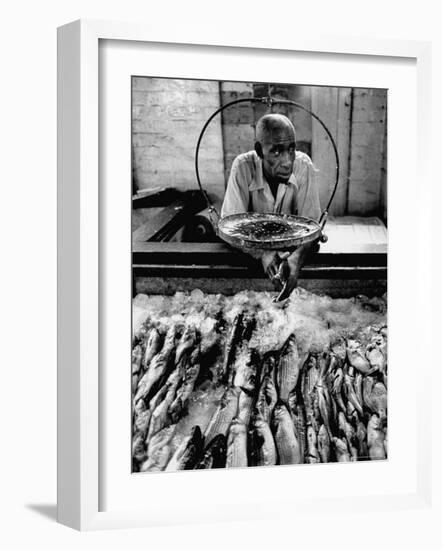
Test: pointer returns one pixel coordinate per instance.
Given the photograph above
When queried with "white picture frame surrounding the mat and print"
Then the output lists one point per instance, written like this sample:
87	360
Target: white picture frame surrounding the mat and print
80	262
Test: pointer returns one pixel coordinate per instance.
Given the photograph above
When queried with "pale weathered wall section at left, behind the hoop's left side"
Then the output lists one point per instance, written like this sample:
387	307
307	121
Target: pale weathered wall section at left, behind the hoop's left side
168	115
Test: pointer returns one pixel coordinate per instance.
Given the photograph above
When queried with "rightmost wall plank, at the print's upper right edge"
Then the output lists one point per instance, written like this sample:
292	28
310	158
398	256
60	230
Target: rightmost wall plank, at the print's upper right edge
367	152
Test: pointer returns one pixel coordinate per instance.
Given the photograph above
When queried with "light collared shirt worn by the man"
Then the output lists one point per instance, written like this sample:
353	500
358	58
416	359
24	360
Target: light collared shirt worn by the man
248	190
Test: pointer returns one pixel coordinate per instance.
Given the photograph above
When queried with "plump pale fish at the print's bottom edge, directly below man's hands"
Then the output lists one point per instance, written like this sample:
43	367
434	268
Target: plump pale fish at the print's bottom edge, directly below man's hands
286	438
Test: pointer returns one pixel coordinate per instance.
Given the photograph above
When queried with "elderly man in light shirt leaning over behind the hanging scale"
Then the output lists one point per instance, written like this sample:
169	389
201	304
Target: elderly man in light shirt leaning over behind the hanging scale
276	178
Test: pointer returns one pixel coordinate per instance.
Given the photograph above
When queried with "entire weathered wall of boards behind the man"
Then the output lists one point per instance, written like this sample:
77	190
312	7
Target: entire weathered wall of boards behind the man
169	114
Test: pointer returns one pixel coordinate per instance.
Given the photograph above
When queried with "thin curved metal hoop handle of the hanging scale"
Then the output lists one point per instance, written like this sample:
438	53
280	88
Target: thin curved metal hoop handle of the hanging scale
269	101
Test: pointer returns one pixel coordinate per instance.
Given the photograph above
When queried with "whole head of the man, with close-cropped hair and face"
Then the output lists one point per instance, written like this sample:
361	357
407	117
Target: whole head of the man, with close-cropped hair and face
275	144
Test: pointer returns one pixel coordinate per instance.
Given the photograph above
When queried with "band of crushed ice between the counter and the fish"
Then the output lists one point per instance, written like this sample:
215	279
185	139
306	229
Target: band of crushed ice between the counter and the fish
316	320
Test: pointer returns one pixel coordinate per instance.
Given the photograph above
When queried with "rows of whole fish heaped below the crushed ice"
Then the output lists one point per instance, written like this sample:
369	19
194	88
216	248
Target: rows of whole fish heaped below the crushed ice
212	400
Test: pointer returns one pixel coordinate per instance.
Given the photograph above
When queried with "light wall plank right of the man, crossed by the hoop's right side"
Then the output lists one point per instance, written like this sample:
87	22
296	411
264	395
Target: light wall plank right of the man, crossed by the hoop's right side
333	107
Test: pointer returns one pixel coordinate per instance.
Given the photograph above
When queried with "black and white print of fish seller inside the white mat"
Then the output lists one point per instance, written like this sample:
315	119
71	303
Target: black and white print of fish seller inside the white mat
259	274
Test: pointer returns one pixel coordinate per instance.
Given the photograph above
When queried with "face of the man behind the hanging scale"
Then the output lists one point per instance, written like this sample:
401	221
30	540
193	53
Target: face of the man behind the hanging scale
278	149
